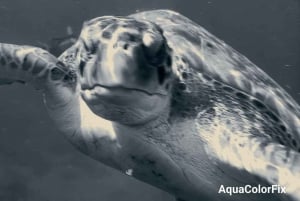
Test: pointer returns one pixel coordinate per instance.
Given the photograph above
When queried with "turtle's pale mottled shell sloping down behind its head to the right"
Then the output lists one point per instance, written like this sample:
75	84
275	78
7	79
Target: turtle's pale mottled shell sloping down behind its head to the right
196	52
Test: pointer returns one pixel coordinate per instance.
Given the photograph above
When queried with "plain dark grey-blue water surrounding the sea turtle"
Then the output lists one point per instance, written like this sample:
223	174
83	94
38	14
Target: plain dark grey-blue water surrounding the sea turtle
38	164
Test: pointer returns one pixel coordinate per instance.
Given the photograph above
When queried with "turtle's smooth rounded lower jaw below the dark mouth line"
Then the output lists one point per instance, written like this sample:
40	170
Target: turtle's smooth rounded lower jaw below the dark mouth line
125	106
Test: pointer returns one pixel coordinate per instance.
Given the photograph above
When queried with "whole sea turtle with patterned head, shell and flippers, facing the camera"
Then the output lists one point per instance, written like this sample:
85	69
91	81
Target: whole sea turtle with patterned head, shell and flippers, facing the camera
159	98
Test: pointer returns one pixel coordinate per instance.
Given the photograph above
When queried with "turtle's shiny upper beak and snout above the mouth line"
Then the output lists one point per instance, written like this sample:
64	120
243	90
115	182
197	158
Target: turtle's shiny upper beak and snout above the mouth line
128	61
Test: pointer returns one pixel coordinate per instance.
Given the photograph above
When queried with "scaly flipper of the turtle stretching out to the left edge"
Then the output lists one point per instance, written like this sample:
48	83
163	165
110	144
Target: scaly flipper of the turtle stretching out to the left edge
28	64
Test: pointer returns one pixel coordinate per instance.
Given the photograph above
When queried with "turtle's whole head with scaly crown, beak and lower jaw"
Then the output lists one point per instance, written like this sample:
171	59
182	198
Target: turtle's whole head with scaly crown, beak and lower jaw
125	69
